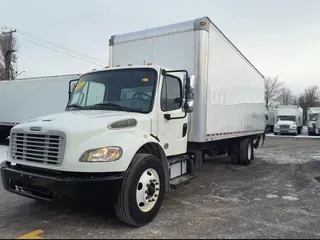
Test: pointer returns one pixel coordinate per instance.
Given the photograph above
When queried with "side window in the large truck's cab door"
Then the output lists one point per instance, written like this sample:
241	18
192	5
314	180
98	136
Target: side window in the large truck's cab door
171	94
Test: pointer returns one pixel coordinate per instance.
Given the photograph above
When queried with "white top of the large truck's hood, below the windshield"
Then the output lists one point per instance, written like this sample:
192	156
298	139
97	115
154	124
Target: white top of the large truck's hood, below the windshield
82	121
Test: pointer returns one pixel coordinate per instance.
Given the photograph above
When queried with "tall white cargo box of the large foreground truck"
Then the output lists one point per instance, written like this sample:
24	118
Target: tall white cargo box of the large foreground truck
229	90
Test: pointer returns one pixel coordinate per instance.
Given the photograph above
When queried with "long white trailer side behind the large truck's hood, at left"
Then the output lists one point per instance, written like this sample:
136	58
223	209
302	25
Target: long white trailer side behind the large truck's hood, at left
23	99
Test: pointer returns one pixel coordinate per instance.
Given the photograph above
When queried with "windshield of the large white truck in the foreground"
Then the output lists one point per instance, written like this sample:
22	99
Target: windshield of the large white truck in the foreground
120	90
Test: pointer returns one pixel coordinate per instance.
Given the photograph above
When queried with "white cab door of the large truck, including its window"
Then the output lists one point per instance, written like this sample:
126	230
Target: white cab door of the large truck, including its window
172	119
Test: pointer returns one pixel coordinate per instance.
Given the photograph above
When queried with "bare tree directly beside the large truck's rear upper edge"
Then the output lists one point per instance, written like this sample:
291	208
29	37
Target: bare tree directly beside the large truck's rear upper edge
272	90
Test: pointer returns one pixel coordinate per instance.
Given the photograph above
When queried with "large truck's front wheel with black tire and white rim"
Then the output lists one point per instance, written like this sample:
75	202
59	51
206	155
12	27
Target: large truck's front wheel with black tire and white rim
142	191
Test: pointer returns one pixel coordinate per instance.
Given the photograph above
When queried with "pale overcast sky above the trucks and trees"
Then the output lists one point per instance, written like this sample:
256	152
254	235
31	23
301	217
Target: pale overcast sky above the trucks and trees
280	37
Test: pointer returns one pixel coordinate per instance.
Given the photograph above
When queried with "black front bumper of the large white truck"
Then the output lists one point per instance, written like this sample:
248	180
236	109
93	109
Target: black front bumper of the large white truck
43	184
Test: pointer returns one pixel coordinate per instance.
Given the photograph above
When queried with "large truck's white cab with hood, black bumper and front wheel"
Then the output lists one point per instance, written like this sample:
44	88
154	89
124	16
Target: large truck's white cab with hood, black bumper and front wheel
120	126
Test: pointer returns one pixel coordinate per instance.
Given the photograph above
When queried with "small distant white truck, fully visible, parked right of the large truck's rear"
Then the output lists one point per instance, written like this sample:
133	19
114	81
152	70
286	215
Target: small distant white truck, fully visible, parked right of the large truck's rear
289	120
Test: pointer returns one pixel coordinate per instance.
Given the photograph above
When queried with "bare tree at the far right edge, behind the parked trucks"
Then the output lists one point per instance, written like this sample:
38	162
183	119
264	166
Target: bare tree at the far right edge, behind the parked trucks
309	98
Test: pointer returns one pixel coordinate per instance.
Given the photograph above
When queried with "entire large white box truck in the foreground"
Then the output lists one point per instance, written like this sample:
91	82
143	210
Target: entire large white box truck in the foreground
170	95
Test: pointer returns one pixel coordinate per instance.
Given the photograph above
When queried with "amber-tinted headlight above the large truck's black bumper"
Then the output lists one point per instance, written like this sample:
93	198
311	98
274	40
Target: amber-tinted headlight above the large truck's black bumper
105	154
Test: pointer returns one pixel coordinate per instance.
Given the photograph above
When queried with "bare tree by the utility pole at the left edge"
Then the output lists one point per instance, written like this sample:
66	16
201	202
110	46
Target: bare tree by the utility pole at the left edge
8	57
